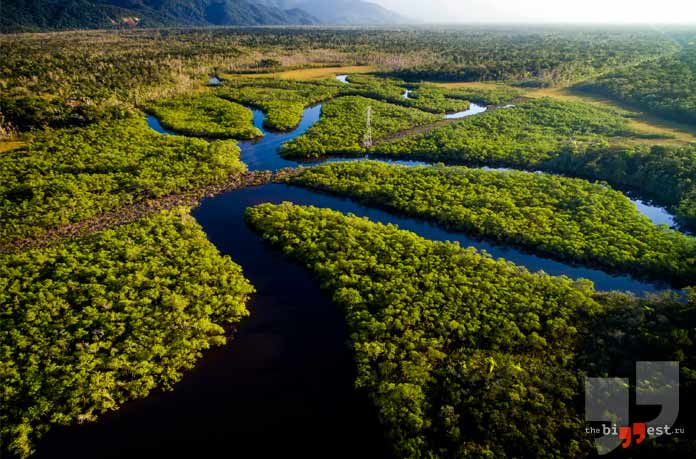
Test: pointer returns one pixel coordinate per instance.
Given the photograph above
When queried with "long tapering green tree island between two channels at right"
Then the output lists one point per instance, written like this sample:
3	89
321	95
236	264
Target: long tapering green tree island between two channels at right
569	219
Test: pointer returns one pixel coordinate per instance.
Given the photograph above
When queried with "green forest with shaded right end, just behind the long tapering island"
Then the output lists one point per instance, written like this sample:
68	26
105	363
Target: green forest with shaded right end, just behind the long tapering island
571	138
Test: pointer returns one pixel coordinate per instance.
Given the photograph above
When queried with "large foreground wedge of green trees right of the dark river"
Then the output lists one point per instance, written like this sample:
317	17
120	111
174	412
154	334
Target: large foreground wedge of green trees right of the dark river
463	355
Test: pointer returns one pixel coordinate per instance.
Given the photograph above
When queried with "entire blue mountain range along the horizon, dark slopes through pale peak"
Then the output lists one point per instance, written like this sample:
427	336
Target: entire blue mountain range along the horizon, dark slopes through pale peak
34	15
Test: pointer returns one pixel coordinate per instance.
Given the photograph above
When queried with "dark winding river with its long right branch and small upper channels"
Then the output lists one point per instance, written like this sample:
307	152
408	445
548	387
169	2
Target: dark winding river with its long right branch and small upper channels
283	385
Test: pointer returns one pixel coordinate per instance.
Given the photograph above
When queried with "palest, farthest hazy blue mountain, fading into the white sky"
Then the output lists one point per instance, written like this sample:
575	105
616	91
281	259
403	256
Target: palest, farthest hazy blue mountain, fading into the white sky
341	11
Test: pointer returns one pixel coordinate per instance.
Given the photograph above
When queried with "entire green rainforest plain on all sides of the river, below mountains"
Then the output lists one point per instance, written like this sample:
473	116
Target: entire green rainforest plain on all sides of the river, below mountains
462	355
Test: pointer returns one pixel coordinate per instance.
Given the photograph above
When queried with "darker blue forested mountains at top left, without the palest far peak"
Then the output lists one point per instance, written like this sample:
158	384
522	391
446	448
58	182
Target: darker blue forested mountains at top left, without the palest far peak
16	15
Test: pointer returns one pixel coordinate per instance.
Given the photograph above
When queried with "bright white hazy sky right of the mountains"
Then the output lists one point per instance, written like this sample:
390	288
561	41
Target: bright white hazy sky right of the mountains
576	11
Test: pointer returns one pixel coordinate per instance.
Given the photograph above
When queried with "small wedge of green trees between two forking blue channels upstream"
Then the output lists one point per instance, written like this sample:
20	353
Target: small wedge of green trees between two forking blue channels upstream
283	101
